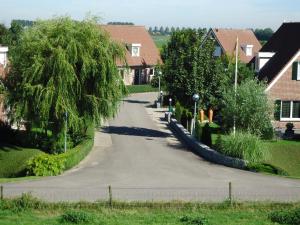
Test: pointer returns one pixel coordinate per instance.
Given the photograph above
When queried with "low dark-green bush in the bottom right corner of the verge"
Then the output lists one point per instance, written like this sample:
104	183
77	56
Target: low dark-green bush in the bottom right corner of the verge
291	217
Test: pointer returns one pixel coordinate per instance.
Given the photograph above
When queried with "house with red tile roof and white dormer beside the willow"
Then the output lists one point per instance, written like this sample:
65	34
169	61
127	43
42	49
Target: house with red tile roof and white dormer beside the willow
142	54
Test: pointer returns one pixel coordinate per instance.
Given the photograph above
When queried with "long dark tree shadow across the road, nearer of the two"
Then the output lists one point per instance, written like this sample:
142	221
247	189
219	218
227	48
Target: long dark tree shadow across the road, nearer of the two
135	131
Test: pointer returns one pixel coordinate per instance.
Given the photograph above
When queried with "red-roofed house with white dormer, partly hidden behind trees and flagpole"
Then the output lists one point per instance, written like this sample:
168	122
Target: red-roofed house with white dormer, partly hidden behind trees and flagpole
225	40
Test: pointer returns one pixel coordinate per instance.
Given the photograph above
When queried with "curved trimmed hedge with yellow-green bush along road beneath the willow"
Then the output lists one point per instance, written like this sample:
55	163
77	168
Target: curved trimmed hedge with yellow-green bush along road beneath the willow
52	165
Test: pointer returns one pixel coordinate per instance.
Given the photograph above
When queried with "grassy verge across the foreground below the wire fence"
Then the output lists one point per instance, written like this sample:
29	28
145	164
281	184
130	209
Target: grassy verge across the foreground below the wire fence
170	213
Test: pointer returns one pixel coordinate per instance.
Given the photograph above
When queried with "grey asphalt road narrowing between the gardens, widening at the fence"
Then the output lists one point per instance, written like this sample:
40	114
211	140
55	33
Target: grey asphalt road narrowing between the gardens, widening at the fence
141	159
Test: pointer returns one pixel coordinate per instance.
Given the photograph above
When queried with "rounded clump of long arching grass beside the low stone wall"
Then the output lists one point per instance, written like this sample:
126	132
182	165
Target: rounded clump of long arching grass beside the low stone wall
244	145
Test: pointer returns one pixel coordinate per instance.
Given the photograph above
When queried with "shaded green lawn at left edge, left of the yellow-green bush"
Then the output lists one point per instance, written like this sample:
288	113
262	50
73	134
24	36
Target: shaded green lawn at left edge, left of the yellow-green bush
13	160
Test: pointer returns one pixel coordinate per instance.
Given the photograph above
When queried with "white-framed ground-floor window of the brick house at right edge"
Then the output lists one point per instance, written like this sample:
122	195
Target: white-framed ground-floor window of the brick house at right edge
290	110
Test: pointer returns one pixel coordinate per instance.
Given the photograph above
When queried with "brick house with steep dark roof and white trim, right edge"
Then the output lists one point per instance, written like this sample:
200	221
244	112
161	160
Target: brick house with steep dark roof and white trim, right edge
278	63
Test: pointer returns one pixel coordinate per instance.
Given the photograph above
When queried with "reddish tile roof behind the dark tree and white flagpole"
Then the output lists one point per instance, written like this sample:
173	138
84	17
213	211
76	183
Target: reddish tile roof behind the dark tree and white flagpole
227	40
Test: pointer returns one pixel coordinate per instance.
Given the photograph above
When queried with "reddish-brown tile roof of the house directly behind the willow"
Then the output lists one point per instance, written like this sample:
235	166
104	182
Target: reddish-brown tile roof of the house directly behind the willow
128	34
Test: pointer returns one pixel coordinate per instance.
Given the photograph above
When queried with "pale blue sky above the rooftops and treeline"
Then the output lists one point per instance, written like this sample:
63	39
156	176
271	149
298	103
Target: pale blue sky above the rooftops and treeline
181	13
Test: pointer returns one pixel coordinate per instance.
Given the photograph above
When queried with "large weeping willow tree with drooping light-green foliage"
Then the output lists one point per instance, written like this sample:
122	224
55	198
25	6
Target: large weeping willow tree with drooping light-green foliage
64	66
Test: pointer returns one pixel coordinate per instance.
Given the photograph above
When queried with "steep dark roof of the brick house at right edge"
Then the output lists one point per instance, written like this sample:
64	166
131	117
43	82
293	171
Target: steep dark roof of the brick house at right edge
285	43
